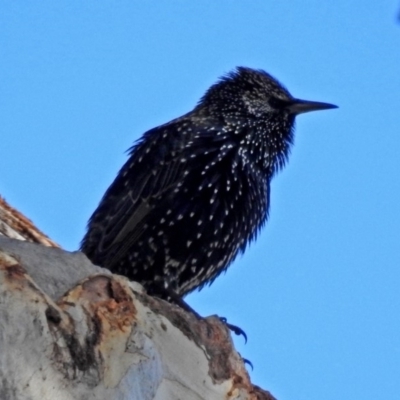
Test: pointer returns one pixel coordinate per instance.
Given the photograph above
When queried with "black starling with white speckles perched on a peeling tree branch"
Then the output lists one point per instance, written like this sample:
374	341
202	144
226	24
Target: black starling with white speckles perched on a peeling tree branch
195	191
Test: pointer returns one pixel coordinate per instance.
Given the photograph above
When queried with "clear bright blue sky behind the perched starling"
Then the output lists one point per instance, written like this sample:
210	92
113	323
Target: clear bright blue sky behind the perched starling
318	293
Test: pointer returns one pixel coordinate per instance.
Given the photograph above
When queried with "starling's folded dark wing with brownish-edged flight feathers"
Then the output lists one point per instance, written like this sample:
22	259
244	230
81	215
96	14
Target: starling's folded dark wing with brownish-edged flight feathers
155	166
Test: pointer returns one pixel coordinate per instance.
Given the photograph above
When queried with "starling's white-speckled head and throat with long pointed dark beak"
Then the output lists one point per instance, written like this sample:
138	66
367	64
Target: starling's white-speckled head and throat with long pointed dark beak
259	111
